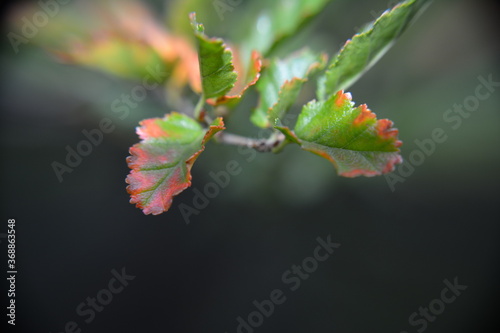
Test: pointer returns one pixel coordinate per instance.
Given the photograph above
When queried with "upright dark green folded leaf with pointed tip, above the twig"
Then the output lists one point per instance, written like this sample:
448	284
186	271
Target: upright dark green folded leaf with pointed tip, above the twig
216	66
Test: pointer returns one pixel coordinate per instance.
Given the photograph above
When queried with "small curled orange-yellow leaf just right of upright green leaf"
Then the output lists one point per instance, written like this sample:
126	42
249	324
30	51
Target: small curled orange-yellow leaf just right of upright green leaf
244	81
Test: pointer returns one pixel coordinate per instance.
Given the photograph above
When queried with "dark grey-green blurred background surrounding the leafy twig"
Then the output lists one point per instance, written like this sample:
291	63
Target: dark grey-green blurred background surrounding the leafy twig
397	247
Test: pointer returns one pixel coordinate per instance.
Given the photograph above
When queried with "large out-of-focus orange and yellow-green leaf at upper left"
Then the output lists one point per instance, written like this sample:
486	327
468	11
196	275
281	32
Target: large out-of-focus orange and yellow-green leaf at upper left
120	37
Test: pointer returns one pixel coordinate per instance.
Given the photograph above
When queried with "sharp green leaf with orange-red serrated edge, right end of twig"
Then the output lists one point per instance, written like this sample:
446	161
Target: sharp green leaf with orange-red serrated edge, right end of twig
350	137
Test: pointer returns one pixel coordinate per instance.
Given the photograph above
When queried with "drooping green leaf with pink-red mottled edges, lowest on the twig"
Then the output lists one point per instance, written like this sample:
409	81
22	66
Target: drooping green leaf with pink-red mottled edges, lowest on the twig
161	163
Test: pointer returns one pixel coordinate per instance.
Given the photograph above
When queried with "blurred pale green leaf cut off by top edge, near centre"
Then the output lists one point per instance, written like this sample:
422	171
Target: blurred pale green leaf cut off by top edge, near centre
281	19
